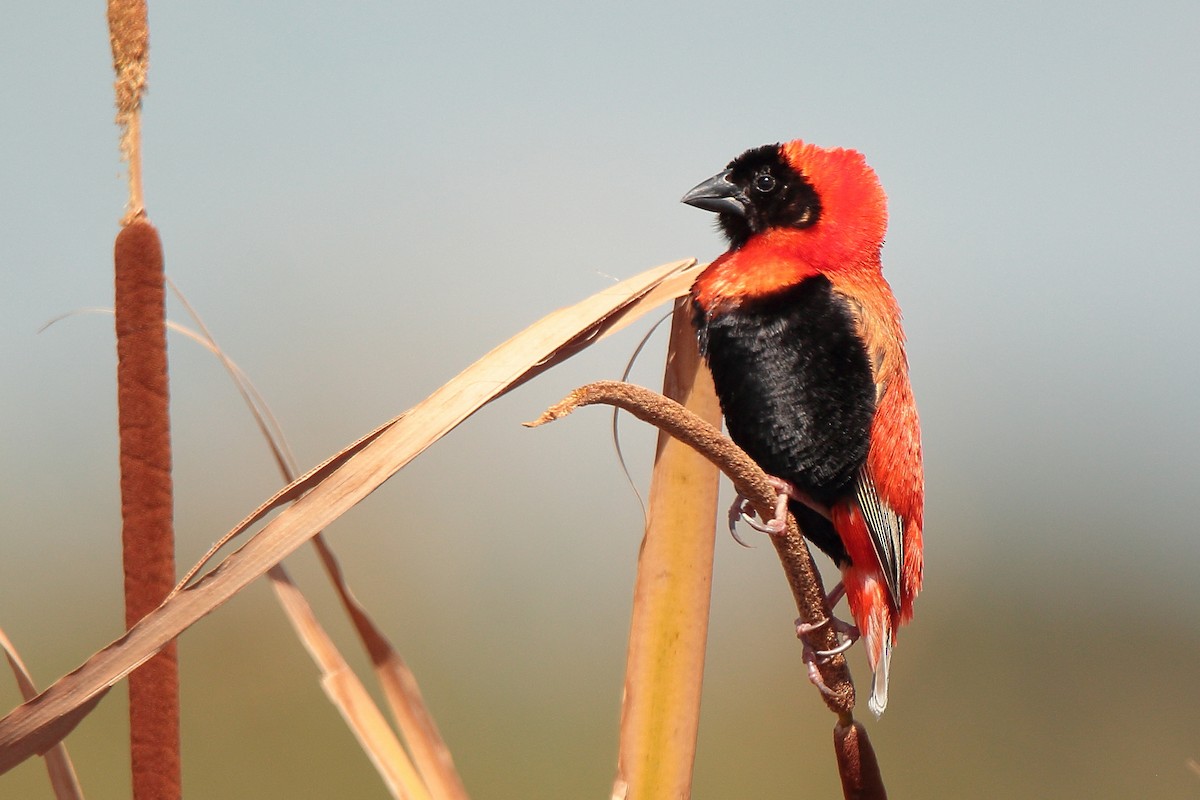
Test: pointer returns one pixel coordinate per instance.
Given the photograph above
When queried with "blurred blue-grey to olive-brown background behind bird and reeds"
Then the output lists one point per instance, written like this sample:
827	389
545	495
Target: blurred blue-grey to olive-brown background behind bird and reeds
363	199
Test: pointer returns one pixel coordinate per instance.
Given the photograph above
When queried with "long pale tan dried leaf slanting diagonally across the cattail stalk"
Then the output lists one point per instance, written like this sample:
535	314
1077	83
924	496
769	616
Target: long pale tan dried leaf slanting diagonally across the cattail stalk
332	489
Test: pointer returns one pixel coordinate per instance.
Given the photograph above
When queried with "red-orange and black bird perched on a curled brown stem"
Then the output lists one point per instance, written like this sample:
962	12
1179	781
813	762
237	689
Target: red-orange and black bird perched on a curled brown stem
803	339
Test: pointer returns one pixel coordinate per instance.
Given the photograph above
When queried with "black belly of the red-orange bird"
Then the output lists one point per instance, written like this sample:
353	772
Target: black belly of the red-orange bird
796	388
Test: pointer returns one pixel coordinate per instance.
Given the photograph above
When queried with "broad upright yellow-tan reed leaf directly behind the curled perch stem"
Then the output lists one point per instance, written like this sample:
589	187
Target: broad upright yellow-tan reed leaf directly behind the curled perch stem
669	630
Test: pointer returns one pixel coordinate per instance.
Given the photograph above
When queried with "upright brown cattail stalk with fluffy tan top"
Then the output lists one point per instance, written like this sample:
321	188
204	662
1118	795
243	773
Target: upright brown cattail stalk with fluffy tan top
143	420
